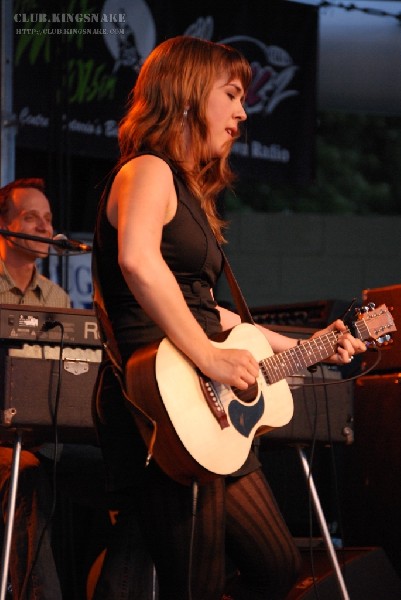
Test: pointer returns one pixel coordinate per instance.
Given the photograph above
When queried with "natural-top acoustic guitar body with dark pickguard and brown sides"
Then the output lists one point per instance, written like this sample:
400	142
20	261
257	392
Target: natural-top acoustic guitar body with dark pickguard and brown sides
190	442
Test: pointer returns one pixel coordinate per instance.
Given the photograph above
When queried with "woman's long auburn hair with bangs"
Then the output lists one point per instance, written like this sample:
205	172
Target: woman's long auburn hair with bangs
178	75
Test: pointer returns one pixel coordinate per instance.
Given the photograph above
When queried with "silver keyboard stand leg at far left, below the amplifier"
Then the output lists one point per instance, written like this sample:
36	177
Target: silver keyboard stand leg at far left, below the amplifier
9	524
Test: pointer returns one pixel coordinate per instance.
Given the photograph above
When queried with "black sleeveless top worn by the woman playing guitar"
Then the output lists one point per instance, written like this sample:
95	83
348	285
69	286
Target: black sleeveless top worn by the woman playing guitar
189	248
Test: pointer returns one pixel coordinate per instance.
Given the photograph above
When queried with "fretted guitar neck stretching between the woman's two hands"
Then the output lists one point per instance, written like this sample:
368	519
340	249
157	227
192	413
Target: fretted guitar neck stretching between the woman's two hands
287	363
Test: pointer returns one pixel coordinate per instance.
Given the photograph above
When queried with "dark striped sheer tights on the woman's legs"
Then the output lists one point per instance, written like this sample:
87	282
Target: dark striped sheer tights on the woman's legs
236	518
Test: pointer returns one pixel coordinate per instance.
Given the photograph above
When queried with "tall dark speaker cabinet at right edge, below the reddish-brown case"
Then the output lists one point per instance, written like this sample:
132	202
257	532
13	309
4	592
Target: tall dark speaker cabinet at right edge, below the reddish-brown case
372	491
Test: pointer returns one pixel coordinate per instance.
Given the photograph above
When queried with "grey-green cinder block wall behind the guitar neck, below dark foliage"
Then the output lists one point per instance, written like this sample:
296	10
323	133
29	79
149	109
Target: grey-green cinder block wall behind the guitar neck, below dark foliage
283	259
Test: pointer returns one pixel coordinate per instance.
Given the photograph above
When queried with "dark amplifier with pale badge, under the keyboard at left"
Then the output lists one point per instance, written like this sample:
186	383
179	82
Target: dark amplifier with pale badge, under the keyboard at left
28	396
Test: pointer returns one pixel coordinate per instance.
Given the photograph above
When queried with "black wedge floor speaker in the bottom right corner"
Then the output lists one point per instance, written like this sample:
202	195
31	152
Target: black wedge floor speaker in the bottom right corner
367	574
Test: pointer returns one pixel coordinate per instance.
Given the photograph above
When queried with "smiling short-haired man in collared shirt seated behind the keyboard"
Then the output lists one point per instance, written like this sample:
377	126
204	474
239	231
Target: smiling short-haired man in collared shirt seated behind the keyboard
24	208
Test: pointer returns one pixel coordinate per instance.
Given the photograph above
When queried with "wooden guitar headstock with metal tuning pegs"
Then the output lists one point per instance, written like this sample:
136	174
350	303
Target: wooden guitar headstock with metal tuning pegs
374	324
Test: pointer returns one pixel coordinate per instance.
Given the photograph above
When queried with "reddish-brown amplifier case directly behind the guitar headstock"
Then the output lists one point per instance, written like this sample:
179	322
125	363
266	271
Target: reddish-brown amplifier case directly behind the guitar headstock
391	353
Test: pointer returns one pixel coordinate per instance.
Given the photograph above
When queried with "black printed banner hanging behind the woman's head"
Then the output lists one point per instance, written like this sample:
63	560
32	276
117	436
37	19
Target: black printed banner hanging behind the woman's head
76	62
